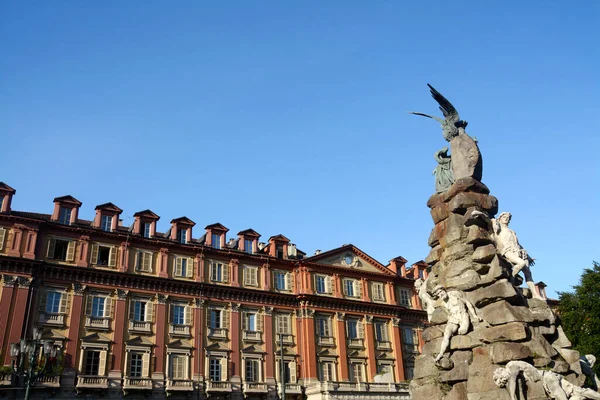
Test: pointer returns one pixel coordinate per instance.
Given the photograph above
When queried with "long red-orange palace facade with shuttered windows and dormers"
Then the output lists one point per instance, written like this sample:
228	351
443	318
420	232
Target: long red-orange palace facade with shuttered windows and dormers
133	311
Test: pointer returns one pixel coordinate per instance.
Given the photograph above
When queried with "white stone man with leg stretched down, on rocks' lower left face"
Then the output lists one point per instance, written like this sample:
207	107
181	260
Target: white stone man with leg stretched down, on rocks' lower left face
461	314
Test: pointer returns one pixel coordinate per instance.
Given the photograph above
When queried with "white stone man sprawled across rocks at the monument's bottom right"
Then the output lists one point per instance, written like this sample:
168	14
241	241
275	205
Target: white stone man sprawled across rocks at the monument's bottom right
554	384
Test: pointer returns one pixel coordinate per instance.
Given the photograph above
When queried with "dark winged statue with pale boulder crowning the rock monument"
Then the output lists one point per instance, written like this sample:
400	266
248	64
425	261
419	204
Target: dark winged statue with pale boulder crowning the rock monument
465	158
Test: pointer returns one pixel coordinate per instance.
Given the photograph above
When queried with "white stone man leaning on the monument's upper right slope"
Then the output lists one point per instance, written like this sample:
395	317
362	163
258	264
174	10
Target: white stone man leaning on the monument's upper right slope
509	247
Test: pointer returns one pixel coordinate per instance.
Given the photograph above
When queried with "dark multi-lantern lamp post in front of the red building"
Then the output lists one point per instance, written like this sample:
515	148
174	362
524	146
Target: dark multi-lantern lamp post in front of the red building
20	351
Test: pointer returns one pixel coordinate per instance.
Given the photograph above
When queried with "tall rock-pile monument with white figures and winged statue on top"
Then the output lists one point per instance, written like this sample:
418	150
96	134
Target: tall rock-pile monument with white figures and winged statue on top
488	338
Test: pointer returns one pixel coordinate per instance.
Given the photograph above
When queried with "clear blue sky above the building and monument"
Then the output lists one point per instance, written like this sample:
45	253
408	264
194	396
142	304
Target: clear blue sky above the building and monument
290	117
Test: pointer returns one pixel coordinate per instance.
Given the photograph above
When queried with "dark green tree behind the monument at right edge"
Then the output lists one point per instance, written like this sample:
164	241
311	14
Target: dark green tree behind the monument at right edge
579	312
